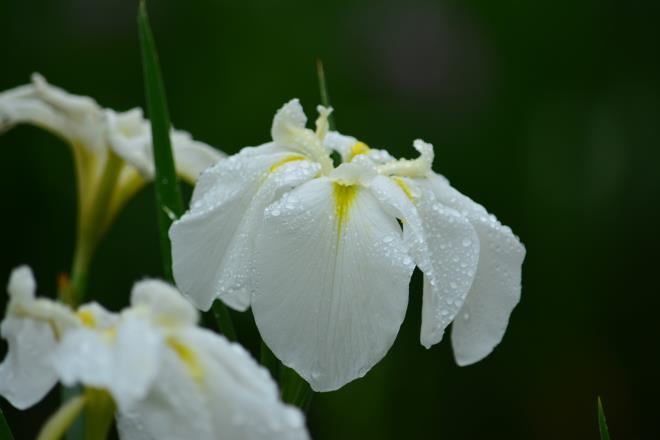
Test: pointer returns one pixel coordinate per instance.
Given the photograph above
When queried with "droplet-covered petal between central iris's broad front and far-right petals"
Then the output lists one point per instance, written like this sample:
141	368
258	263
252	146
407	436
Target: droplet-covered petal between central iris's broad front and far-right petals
453	256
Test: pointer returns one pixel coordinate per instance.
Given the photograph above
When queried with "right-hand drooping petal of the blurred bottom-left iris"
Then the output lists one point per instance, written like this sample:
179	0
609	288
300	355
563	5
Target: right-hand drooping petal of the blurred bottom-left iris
241	397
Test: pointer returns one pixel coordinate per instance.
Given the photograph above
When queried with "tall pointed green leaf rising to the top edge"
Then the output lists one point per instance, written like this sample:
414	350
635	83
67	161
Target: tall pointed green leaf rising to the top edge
168	194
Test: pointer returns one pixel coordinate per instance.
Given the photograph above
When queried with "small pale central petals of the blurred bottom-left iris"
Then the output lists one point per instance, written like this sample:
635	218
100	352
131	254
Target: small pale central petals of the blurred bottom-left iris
123	360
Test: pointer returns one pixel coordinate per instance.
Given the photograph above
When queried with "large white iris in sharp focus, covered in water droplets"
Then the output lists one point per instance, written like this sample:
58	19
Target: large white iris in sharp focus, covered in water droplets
324	255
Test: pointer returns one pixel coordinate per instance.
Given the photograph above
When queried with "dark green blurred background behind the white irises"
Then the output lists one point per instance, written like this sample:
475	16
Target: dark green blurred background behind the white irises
547	112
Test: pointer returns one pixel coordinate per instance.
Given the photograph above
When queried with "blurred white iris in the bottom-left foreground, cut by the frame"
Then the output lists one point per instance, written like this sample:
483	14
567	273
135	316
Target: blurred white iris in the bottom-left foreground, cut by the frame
168	378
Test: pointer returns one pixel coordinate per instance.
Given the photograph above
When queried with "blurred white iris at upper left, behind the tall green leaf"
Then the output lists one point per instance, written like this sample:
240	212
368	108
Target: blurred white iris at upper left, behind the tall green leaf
112	151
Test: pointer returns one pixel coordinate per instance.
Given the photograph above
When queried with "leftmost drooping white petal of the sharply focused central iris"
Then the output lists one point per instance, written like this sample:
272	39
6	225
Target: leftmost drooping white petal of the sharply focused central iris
212	244
